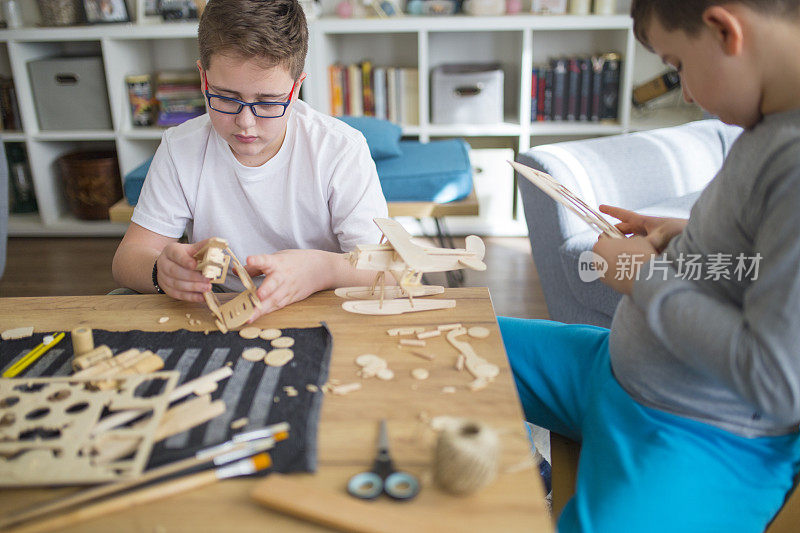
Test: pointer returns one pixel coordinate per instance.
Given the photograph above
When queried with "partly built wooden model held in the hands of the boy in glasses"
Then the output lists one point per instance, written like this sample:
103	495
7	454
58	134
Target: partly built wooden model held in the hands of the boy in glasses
213	260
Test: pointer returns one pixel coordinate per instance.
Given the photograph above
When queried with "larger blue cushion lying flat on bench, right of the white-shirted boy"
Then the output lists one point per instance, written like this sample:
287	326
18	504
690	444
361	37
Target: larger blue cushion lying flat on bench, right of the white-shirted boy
438	171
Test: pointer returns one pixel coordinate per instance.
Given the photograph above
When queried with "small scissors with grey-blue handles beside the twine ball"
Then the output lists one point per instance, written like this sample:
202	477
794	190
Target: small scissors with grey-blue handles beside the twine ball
383	477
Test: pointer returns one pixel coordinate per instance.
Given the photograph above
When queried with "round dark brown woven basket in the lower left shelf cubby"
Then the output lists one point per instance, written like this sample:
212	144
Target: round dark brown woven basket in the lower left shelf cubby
92	183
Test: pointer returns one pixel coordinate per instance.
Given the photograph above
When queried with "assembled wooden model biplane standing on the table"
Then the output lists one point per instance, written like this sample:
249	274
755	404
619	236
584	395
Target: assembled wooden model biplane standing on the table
407	260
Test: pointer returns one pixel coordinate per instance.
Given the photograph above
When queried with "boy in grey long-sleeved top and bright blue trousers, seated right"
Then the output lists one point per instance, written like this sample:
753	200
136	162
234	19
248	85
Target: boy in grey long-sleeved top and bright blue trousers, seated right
688	407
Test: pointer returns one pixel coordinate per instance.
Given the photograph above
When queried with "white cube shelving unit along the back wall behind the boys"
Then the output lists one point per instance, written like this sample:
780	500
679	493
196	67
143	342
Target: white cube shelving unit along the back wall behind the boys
517	41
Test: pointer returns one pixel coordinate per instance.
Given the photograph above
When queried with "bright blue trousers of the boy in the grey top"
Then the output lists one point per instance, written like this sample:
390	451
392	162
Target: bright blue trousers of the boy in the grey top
641	469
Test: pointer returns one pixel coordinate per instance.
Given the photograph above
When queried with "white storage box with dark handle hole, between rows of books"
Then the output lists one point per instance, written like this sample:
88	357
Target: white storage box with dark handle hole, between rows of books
467	94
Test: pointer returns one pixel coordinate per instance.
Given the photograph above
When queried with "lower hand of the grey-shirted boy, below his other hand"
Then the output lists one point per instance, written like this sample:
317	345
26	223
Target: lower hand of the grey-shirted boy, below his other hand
624	257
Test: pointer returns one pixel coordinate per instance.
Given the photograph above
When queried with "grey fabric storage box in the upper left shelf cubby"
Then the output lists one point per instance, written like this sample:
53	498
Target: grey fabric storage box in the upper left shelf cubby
70	93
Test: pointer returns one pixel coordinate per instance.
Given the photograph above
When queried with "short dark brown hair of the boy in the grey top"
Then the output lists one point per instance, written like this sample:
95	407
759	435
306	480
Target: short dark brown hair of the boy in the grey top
687	15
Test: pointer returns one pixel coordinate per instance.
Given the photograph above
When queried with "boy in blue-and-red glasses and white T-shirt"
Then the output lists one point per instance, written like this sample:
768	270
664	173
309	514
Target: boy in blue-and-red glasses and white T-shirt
289	188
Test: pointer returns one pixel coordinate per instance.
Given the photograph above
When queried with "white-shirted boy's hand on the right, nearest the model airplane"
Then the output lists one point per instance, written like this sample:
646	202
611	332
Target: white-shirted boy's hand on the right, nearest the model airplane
290	276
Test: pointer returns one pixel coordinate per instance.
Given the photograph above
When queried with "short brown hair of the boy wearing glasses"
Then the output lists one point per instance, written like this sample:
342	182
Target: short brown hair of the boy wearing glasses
273	31
